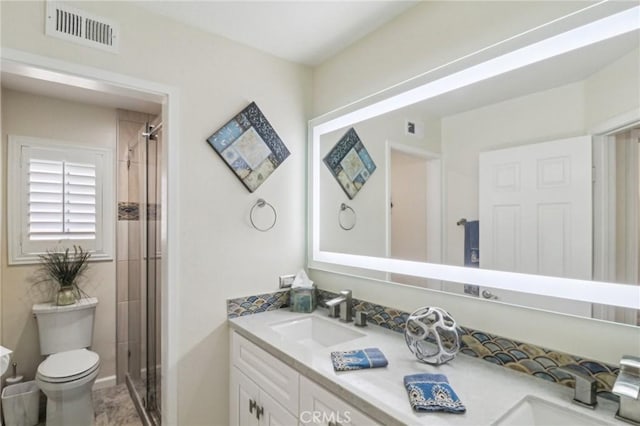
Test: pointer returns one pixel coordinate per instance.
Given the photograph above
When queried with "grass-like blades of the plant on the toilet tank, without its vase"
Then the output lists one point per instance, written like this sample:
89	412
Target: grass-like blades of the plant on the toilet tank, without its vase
65	267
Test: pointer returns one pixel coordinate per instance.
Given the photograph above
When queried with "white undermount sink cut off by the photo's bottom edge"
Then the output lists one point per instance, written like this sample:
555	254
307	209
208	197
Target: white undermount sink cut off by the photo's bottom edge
534	411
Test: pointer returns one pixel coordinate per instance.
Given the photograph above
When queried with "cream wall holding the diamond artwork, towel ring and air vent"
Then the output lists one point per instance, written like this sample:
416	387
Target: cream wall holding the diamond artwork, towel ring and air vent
221	256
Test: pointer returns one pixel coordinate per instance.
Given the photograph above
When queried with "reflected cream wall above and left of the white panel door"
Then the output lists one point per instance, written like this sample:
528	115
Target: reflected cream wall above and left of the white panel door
552	114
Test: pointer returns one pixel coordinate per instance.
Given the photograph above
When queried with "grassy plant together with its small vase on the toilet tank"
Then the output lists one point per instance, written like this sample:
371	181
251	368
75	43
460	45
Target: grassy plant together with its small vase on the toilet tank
64	268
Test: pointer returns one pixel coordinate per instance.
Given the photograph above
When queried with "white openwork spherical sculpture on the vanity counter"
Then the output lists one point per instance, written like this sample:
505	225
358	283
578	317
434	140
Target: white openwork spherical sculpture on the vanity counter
431	335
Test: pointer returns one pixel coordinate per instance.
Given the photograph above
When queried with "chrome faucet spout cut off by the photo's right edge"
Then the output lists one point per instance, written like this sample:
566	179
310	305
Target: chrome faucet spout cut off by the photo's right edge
627	387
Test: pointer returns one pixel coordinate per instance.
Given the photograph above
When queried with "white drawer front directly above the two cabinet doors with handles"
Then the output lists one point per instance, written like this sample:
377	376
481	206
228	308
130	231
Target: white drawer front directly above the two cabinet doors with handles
276	378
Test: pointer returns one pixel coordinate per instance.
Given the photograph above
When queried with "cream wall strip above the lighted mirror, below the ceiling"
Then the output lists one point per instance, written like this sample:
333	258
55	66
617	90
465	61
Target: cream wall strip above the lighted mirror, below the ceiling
428	35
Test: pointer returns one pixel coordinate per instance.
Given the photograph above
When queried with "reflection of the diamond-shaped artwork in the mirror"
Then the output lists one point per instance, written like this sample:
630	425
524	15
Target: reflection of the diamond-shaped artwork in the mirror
350	163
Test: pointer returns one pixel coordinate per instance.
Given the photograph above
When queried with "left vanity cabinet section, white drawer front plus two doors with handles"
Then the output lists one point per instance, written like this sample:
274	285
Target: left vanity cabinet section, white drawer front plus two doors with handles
264	390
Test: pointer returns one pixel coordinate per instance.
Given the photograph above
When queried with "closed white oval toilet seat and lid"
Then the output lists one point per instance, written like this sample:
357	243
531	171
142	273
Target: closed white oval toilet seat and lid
68	366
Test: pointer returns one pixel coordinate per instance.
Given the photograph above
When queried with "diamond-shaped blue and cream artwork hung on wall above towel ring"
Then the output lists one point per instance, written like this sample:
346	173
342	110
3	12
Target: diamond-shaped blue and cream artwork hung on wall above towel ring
249	146
